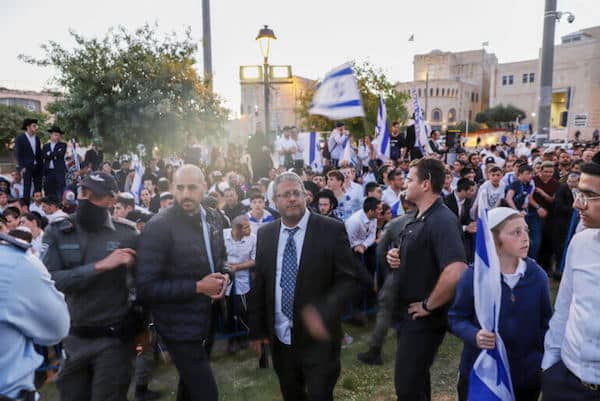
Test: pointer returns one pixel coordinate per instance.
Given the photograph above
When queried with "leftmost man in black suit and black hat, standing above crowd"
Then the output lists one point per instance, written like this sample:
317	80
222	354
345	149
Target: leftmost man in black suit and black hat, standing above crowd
28	154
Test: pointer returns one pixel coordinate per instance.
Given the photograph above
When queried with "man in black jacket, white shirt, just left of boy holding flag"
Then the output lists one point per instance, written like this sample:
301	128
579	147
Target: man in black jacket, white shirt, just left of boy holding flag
460	203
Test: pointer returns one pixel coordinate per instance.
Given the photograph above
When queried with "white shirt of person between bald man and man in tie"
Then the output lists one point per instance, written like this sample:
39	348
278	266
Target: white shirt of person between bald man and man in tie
239	252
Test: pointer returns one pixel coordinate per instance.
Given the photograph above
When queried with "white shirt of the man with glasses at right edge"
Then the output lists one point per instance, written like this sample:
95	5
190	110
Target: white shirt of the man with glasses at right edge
574	333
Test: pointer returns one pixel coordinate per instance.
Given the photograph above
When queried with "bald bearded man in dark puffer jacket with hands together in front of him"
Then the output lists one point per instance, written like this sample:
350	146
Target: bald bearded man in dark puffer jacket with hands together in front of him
181	260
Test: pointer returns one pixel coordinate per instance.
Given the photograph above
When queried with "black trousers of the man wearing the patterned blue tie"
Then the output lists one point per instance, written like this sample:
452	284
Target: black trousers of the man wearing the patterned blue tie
307	374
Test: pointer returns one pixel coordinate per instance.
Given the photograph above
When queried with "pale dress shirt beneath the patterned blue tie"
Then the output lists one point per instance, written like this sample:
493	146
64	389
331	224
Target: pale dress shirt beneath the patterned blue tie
283	326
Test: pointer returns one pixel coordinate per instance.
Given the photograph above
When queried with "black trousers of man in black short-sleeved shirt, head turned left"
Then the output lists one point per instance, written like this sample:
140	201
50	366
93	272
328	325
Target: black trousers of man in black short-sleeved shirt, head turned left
417	348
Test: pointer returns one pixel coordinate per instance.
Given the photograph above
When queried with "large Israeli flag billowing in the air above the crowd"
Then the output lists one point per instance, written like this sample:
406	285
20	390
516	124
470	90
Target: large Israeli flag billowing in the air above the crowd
337	96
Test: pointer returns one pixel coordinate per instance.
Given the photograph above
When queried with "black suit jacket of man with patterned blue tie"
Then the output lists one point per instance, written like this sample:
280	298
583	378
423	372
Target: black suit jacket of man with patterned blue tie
329	277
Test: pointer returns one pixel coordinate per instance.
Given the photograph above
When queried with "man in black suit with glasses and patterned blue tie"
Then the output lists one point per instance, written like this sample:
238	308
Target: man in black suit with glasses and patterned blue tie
306	276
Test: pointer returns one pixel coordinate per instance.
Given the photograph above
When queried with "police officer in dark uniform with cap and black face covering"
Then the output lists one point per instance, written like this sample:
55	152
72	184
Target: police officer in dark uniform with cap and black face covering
88	254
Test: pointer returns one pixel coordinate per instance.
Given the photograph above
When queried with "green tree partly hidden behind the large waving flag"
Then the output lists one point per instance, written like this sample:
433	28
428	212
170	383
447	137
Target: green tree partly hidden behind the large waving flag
372	83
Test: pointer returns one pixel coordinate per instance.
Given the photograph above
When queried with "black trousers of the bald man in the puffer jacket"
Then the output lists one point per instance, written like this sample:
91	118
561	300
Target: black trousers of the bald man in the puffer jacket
196	380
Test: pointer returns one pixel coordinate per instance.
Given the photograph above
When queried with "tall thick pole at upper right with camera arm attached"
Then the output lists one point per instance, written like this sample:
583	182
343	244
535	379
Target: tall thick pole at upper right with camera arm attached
547	62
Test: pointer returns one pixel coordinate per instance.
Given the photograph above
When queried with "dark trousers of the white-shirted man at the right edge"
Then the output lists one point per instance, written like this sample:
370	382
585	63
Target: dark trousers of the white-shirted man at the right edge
559	384
